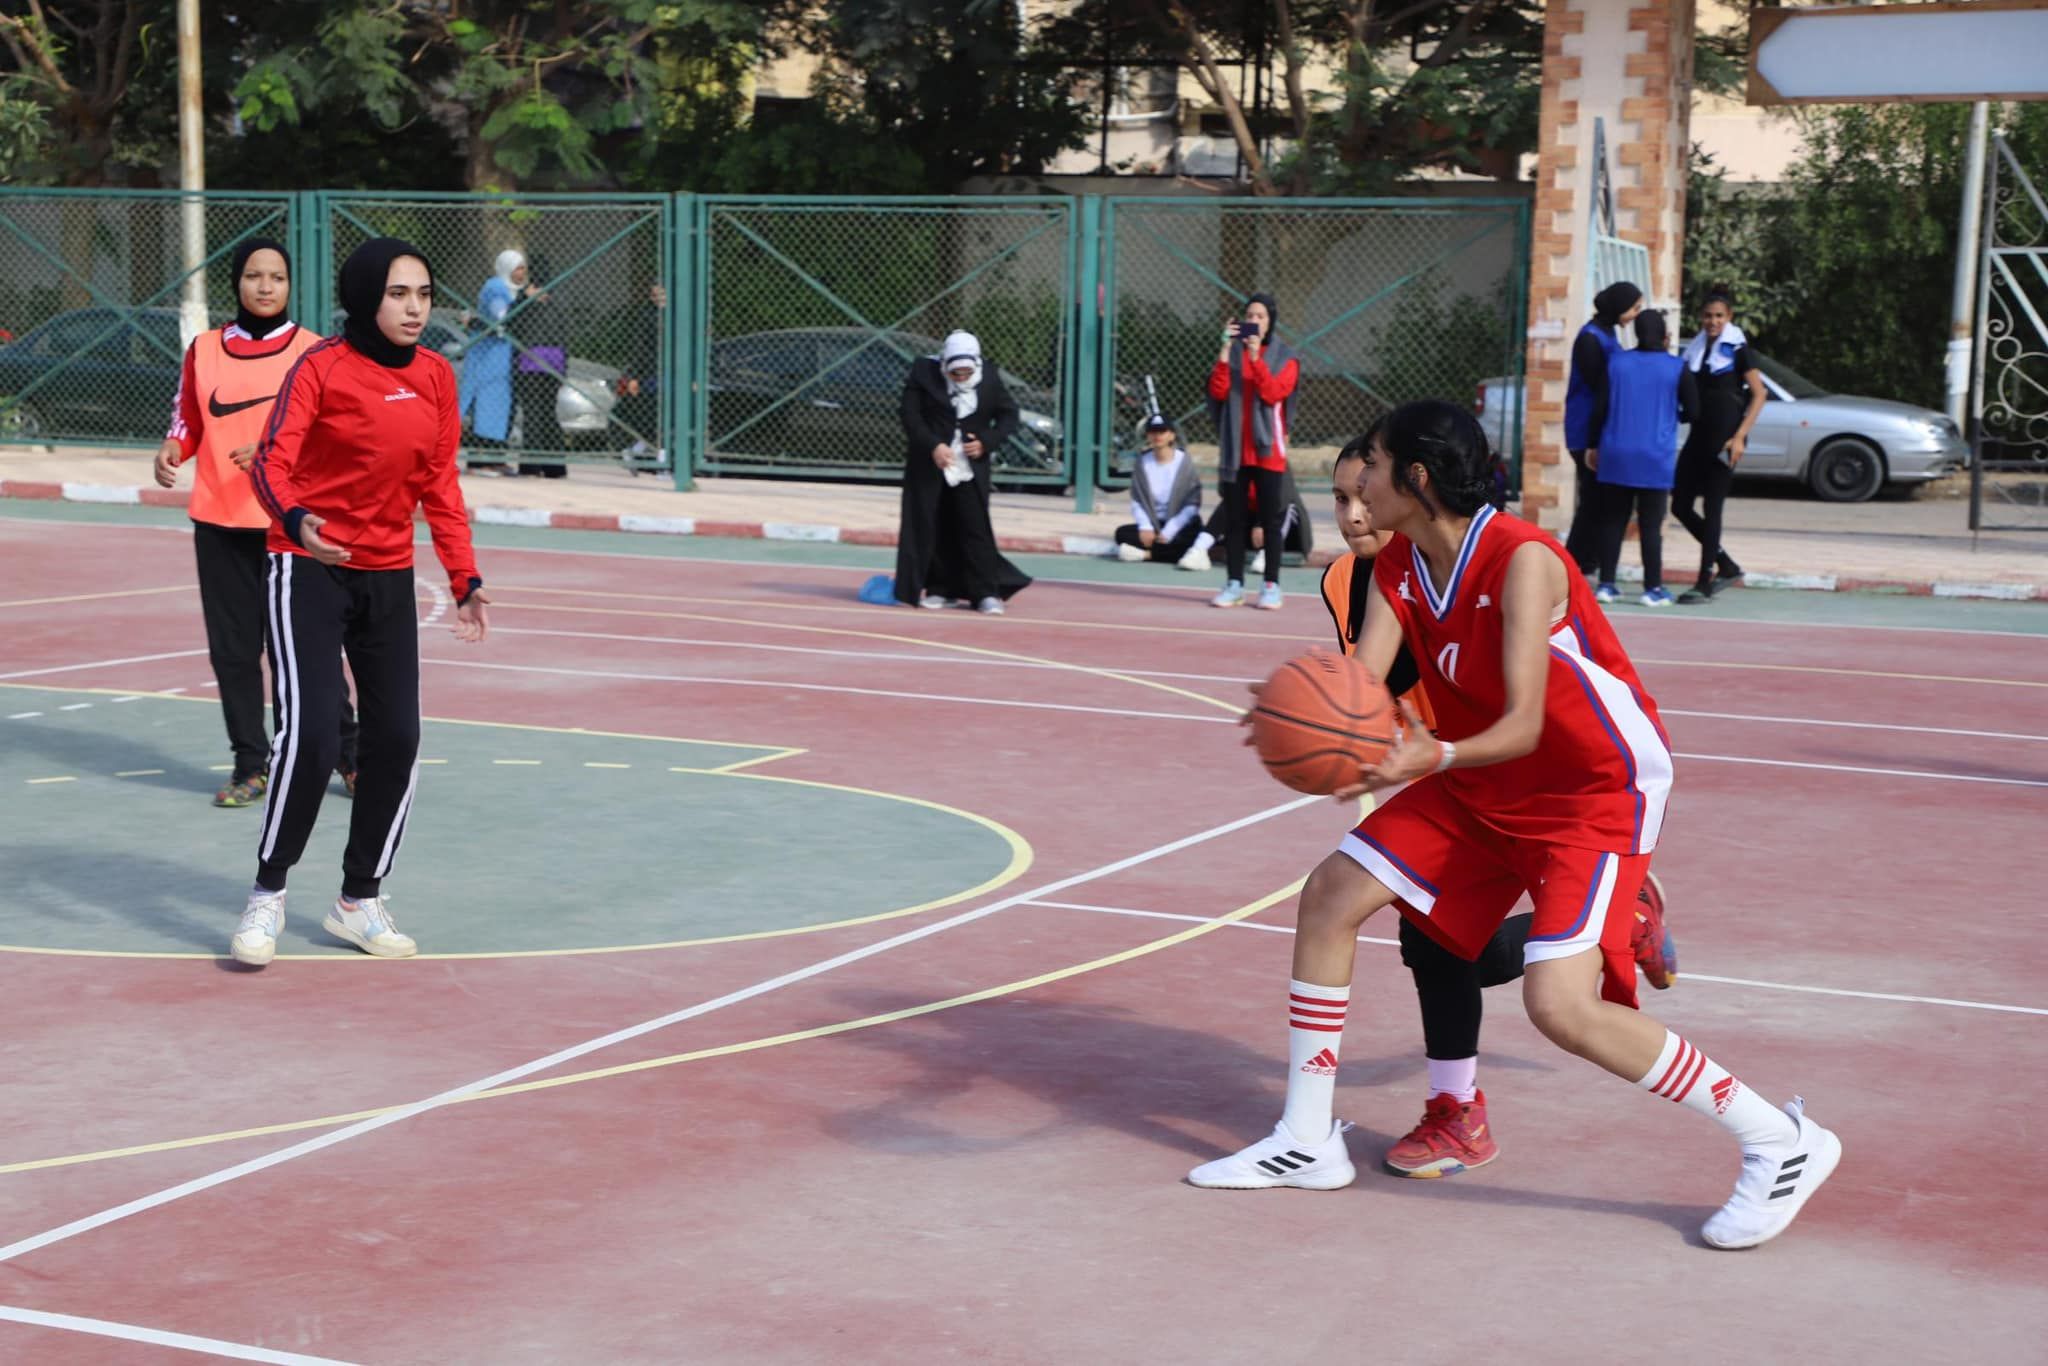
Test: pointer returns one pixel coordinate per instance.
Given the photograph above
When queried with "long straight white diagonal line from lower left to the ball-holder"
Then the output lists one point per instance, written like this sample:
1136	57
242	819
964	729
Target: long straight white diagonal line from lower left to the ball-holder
605	1041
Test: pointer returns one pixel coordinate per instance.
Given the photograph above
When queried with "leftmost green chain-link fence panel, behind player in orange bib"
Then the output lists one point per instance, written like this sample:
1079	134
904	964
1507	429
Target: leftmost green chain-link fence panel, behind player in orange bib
91	292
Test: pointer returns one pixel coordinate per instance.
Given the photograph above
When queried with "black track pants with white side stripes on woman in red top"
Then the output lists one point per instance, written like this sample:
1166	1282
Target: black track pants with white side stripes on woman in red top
316	613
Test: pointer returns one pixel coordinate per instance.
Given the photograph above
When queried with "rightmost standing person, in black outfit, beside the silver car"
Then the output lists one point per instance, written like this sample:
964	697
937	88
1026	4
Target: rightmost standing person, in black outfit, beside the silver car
1732	398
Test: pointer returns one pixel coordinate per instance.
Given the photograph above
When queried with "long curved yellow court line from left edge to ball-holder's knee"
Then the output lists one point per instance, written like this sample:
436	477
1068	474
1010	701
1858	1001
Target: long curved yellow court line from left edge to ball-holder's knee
697	1056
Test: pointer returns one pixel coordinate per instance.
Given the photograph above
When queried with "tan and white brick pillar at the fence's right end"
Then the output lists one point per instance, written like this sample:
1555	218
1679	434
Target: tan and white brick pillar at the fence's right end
1627	62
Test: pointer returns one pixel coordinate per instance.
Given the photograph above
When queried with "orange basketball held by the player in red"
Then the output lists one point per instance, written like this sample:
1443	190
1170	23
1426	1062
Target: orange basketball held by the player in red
1320	720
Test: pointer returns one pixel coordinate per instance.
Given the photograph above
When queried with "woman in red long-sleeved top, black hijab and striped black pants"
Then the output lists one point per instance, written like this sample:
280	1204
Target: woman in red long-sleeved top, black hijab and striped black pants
364	433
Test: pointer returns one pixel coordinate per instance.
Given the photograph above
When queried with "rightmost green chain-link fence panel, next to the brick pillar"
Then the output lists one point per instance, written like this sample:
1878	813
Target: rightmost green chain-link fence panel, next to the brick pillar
1381	300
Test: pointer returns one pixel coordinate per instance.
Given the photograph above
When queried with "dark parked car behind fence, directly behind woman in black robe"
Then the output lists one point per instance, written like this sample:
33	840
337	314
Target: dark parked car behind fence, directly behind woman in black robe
849	388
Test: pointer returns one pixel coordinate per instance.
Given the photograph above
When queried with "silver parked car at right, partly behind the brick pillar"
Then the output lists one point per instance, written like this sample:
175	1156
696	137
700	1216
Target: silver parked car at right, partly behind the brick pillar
1844	447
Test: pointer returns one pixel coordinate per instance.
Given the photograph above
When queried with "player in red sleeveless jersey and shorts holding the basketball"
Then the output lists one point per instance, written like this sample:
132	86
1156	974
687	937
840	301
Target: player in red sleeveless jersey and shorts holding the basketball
1547	777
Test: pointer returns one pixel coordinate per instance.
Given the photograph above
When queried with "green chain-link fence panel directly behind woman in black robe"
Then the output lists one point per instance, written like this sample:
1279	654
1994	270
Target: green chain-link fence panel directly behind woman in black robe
814	312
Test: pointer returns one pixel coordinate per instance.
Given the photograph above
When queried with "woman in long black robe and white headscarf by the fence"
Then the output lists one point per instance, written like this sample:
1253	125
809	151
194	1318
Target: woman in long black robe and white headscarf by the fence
955	419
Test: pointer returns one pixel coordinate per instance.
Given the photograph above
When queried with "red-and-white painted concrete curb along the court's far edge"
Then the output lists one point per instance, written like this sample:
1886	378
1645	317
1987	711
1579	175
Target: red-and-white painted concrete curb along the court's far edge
1023	546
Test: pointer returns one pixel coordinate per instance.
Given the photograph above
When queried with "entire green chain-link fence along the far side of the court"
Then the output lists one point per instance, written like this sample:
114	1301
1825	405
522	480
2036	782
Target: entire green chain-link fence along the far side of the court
730	335
